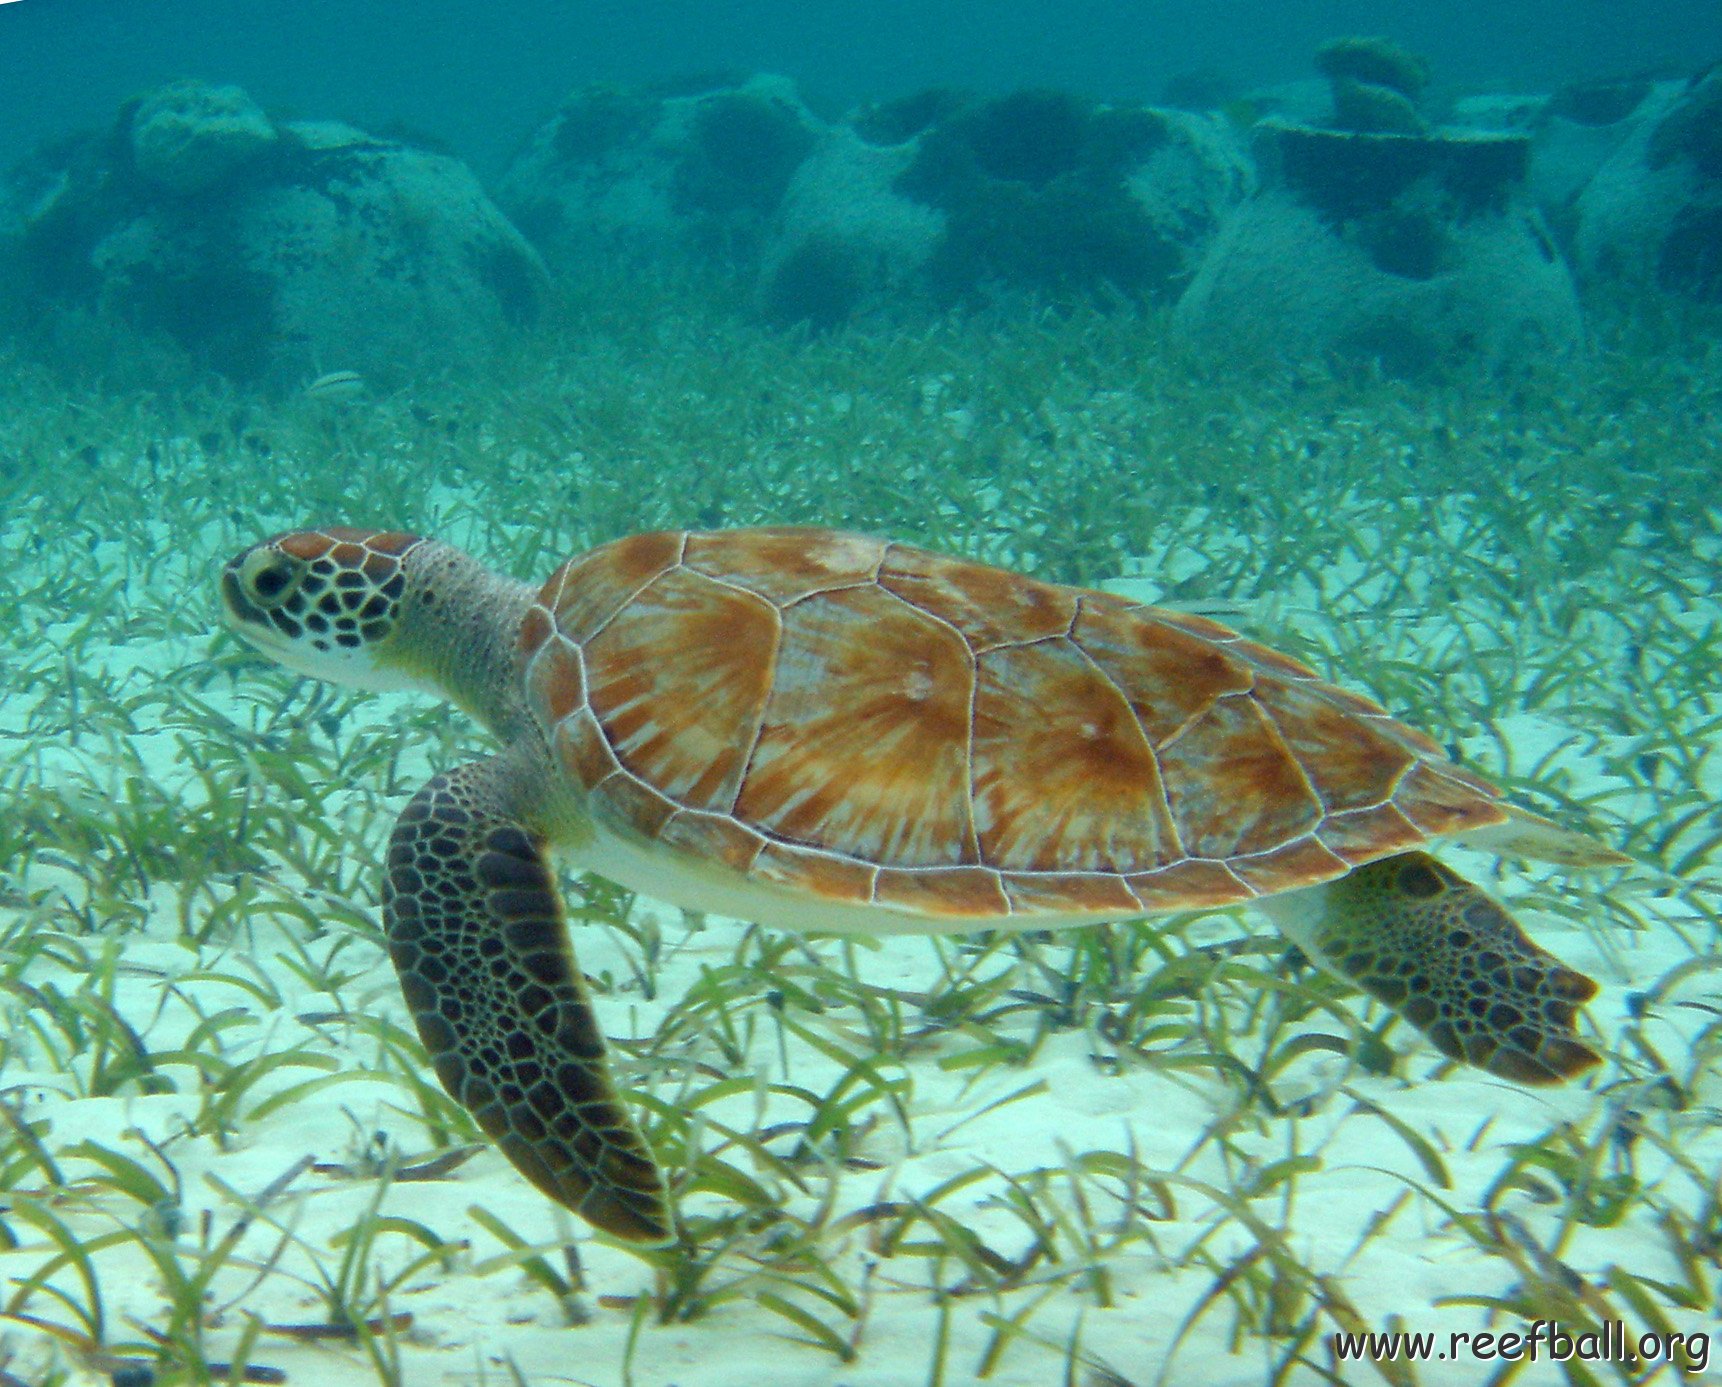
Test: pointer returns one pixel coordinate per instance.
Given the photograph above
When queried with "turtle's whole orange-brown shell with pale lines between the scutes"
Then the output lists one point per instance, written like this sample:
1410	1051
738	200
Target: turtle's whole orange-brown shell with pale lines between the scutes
876	725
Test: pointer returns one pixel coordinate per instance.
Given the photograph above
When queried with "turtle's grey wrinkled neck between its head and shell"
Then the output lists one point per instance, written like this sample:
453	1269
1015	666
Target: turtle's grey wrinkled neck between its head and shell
461	637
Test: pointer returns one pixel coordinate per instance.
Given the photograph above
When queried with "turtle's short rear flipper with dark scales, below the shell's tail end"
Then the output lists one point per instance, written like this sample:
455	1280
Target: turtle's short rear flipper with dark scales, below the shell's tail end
1444	955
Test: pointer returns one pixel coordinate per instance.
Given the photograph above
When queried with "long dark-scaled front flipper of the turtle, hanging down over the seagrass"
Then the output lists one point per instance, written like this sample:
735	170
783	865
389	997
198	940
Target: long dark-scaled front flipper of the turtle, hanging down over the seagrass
480	940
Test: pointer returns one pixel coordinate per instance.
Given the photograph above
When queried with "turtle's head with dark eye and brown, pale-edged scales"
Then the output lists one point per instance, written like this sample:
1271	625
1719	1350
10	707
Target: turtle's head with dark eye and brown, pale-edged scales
328	602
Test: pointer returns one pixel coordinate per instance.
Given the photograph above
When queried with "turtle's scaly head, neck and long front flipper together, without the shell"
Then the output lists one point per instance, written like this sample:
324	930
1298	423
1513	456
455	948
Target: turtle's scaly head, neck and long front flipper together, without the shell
471	909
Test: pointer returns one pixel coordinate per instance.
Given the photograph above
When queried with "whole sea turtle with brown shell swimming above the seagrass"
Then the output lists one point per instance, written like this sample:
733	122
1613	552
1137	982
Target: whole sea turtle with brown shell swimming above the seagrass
829	731
